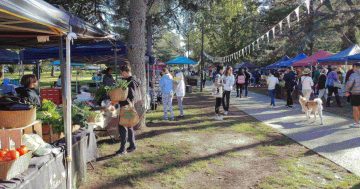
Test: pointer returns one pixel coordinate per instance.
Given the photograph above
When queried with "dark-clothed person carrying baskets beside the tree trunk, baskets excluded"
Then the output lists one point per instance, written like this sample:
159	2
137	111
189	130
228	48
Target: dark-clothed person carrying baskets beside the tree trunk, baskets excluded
127	134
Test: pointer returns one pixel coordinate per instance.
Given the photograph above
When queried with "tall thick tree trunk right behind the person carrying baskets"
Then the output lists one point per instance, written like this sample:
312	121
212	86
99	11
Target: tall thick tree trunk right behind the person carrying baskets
136	50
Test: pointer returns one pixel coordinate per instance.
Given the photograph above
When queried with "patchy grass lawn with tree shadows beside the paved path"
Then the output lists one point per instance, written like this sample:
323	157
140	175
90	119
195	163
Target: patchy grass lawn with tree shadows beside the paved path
198	152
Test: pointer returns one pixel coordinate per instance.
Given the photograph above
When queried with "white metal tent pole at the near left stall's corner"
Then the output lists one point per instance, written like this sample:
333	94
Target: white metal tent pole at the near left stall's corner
67	107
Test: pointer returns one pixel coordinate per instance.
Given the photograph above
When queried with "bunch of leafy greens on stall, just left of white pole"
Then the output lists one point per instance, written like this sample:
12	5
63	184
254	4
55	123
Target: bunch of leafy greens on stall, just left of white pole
50	114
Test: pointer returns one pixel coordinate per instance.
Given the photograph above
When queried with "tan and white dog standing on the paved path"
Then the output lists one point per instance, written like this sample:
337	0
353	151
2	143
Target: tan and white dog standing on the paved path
314	107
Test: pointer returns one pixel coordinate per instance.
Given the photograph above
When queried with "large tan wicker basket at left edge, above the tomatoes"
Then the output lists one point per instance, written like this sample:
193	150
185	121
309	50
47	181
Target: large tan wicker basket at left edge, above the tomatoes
17	119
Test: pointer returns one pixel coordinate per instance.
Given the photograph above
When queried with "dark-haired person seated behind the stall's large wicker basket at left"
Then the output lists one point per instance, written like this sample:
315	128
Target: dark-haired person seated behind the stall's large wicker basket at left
28	92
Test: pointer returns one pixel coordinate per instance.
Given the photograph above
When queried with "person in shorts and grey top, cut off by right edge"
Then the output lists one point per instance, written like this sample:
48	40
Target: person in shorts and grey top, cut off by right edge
353	90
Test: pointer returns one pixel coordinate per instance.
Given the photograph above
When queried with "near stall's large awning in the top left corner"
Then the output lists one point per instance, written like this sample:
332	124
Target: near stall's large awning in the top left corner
29	23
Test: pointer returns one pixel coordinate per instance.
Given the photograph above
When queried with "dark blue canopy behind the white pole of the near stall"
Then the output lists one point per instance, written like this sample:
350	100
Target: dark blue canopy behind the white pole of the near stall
103	48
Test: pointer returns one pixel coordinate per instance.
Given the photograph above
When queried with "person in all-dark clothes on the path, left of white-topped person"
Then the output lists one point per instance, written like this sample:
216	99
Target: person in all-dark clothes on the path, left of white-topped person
290	82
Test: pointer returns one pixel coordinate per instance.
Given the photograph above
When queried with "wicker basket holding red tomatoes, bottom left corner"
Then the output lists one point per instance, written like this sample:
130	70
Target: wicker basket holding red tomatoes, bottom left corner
10	169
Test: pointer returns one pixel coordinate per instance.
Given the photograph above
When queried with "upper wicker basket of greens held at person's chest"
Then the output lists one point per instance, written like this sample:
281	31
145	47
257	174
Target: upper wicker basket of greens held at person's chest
119	91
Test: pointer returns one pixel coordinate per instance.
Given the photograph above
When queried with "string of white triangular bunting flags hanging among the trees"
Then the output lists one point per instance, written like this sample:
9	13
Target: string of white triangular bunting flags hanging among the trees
256	43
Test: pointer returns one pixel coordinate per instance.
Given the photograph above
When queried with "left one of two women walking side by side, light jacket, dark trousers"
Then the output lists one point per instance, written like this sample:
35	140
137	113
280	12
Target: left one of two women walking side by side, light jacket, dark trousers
218	91
